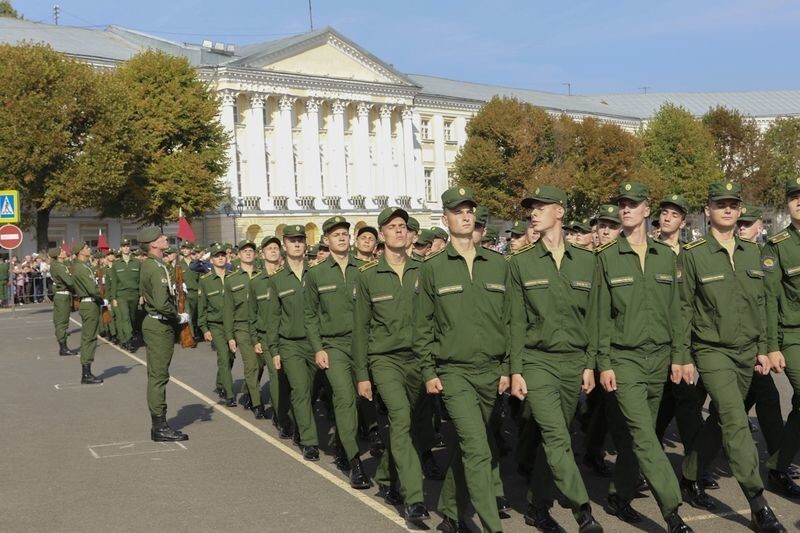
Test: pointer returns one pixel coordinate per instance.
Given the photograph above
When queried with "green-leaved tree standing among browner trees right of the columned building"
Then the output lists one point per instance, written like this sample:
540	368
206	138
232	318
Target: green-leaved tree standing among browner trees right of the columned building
679	149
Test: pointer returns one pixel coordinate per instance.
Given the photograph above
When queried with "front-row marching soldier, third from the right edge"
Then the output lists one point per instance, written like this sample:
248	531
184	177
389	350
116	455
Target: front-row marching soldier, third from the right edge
635	341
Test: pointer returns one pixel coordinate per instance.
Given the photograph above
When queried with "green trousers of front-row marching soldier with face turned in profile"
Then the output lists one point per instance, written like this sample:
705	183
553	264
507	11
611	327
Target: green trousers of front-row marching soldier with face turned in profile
554	384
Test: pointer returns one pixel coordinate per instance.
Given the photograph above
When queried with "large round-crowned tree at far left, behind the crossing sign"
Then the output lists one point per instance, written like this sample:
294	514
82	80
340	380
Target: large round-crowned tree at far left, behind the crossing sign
57	140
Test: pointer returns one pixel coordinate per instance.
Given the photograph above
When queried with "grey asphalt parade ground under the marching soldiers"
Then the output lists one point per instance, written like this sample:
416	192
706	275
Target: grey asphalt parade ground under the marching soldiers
79	457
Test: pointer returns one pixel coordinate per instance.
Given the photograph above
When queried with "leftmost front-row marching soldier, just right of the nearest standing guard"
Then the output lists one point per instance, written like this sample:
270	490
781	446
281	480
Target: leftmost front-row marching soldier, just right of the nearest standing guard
211	289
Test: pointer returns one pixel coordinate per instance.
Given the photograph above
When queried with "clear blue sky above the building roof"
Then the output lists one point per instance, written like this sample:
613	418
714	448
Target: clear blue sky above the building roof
597	46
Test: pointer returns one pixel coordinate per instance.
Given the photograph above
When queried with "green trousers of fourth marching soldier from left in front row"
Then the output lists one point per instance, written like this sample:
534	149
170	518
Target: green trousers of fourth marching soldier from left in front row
300	367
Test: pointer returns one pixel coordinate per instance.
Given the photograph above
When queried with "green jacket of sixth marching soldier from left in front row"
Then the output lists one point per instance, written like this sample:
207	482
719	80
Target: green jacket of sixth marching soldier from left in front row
383	312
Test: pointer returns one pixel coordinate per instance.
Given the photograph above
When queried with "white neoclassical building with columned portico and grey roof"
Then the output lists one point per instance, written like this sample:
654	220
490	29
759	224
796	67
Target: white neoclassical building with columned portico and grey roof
318	126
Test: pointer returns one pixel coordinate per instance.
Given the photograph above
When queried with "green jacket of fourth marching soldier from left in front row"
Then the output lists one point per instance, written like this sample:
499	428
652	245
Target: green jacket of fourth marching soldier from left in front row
285	308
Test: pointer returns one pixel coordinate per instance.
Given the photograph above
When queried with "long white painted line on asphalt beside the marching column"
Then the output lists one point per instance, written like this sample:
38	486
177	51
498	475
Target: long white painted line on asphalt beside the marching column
389	514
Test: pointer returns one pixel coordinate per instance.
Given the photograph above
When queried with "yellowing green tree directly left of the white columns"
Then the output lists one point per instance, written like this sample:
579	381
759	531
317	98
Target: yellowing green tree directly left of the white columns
177	154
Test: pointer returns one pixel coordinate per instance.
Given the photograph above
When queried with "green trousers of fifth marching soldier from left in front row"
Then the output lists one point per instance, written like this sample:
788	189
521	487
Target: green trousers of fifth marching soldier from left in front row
341	376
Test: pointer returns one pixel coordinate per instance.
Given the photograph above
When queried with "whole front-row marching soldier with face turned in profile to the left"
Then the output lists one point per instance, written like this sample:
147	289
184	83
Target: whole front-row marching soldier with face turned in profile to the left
549	284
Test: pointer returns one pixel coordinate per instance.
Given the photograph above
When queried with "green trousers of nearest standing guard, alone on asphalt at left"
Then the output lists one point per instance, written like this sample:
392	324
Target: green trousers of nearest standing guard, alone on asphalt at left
159	340
